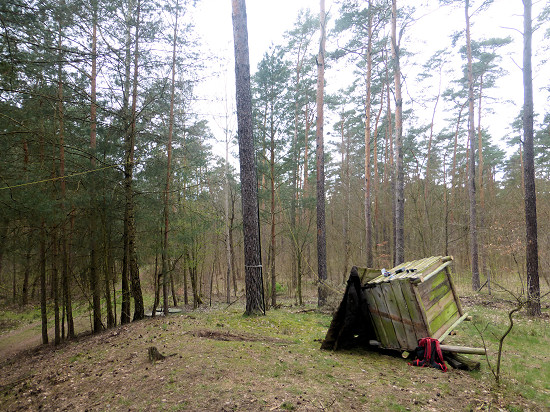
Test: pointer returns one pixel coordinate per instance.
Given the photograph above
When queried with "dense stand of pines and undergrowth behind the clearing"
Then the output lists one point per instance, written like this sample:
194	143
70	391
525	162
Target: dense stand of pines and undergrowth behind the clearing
120	196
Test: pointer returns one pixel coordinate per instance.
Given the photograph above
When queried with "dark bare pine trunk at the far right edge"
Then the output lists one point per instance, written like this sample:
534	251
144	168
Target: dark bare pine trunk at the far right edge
532	261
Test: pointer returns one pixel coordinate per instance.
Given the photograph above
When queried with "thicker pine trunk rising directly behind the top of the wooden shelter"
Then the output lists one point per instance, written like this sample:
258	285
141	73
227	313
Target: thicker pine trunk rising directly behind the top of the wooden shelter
400	176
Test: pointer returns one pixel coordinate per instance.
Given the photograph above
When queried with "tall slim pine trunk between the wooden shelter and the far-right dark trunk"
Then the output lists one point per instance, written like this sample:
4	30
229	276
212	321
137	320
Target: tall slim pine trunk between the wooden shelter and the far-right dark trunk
472	162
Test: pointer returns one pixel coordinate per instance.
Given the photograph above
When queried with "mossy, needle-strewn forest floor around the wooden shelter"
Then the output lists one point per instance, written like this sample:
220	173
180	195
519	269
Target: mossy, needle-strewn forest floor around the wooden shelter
218	360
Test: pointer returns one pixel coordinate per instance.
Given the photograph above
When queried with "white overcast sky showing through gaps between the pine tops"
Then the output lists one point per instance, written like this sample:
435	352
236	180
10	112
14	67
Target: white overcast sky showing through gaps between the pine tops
268	20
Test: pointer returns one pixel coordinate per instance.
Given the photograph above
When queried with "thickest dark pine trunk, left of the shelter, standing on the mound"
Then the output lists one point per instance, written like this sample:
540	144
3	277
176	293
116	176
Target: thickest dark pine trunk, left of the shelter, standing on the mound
249	187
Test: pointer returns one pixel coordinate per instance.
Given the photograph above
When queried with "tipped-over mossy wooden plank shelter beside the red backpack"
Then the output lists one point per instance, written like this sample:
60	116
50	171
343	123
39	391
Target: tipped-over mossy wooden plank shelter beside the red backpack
395	309
